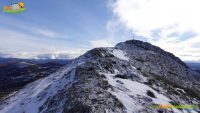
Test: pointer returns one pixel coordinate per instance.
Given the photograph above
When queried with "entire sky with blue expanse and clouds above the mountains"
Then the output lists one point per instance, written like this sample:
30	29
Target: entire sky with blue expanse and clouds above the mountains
75	26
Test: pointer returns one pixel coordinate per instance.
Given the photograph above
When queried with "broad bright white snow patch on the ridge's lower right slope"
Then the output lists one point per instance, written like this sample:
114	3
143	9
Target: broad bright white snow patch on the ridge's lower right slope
125	88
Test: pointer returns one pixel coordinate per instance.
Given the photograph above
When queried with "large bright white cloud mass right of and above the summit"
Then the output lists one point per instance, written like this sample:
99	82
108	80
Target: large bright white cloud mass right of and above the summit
158	20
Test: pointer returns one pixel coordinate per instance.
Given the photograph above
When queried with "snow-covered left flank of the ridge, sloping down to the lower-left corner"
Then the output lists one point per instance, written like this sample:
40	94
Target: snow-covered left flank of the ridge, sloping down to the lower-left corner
34	95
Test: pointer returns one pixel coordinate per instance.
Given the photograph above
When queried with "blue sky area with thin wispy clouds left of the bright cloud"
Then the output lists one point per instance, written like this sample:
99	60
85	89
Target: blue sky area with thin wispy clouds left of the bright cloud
46	25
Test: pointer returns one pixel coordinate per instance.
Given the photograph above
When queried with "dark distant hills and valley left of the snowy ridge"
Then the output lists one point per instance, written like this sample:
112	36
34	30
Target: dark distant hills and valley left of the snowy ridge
16	73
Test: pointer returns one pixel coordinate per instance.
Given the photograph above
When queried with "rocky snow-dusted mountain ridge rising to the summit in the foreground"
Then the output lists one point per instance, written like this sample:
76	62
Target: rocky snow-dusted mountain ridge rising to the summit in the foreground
128	78
